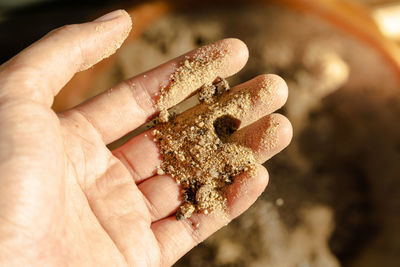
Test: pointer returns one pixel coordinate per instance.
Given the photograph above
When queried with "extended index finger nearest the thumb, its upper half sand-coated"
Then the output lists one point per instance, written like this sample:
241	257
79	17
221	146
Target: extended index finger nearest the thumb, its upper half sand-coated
120	110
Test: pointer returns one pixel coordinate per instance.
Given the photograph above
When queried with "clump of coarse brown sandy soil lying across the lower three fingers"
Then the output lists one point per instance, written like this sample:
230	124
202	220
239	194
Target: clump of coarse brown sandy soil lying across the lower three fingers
198	153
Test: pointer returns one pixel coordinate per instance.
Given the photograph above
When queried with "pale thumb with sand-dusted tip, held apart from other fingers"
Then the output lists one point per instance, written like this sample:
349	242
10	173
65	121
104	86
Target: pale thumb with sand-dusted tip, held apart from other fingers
41	70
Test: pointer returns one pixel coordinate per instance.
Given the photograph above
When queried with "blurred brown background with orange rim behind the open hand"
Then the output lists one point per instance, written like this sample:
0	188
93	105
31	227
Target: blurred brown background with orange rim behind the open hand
334	193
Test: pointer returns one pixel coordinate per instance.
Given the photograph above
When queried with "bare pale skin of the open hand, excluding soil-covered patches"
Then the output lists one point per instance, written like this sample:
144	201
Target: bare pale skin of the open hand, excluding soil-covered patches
65	198
